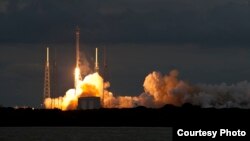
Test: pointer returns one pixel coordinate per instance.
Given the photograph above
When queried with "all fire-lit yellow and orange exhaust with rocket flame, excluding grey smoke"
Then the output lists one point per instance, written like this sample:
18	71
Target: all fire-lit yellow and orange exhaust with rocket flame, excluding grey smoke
158	91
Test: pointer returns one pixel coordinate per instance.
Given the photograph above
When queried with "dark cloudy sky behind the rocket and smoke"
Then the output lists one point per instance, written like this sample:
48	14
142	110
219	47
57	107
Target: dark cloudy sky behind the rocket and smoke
206	40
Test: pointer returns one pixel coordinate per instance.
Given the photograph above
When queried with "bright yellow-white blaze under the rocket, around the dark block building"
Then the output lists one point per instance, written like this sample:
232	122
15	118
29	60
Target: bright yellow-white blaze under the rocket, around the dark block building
91	85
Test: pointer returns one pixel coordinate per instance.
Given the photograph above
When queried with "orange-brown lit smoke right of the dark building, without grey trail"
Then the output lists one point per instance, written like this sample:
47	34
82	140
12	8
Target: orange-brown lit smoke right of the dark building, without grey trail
159	90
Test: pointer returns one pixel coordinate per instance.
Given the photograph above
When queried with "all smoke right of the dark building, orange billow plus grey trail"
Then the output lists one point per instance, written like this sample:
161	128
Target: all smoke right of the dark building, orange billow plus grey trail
160	90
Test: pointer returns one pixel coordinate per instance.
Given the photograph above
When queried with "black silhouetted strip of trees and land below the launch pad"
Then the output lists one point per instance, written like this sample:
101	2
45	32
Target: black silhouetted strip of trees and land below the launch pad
168	115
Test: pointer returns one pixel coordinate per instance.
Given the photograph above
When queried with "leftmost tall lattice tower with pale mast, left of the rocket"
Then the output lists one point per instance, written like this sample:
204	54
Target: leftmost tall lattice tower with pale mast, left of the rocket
46	92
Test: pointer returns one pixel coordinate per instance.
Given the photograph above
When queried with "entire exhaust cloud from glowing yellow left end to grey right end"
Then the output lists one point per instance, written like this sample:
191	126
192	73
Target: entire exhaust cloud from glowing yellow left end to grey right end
159	90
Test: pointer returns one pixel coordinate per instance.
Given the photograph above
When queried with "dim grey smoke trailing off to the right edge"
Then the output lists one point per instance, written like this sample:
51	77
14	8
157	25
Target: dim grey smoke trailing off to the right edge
222	95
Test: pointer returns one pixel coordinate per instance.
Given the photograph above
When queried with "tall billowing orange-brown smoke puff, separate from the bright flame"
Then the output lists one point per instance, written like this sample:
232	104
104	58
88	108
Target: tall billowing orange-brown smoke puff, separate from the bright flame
166	89
